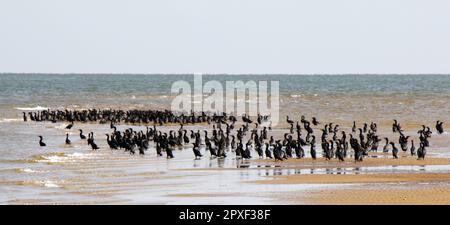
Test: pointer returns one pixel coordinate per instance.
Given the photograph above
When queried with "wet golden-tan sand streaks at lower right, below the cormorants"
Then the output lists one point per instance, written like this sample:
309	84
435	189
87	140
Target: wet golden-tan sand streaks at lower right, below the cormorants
412	187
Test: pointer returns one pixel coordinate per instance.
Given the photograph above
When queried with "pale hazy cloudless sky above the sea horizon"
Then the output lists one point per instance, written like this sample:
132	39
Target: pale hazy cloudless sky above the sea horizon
225	36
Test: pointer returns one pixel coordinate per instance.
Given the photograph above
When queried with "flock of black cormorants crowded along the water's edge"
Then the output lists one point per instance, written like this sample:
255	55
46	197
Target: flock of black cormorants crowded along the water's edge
334	142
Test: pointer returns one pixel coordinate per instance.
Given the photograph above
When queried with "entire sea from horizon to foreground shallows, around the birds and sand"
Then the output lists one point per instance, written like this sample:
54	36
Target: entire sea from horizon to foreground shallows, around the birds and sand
58	174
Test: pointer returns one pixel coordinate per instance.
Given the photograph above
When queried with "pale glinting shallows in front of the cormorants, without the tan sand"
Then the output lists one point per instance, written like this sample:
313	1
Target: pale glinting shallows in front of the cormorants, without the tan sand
58	174
